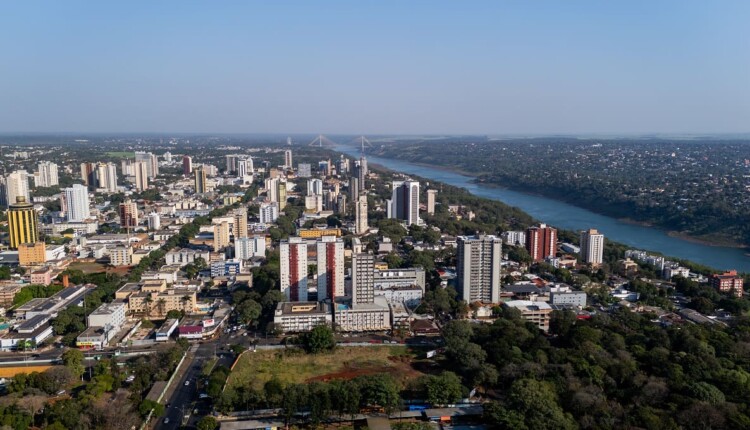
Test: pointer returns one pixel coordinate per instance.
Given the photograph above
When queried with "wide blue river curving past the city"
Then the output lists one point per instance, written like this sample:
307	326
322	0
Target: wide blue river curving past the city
569	217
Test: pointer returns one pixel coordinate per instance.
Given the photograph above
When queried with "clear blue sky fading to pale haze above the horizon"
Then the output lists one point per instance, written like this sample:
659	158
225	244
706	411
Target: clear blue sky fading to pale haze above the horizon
401	67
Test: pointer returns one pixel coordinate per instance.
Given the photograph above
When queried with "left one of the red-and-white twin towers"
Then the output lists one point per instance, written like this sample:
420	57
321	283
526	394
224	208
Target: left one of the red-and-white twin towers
293	268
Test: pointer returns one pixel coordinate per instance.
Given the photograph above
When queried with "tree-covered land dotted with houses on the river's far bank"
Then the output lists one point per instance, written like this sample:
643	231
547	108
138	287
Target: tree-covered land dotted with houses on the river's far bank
697	188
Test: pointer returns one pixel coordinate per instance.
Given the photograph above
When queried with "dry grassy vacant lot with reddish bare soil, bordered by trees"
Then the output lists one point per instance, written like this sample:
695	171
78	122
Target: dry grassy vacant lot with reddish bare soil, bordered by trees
295	367
